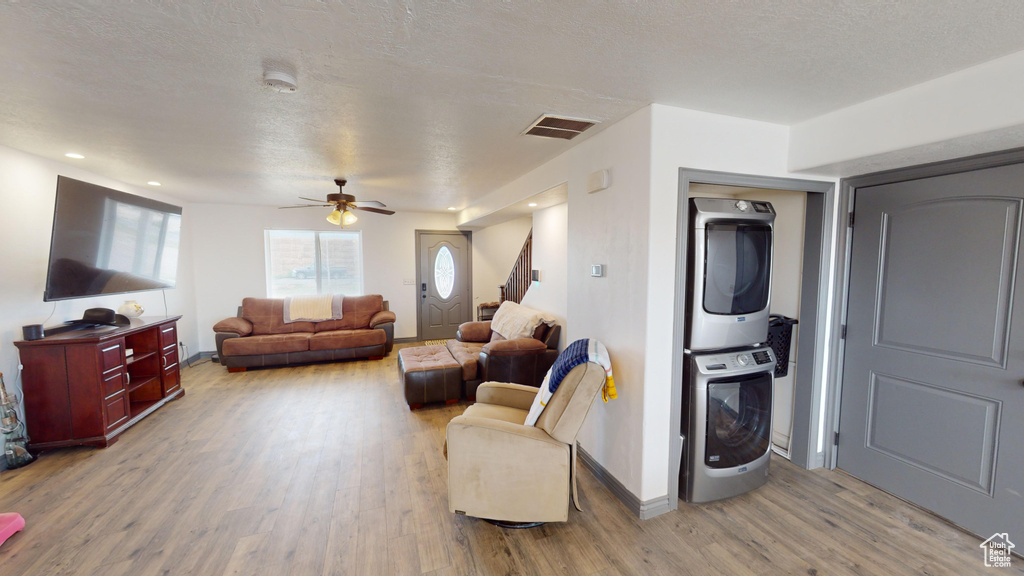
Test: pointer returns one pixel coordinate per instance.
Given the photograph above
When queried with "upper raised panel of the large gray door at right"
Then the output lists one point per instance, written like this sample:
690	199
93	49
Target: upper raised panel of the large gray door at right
979	311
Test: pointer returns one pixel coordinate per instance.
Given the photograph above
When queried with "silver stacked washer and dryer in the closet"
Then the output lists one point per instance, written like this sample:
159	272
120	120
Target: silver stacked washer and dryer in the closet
729	372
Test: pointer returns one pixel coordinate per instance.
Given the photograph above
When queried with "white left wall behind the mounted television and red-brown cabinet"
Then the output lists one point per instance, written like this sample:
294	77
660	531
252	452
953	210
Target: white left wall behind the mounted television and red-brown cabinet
28	188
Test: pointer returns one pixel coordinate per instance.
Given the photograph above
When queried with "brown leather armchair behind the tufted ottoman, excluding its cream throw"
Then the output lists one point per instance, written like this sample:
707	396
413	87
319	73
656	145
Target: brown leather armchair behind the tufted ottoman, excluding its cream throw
486	356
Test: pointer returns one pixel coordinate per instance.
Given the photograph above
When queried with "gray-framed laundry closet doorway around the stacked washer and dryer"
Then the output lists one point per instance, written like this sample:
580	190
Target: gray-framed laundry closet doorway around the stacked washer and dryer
805	212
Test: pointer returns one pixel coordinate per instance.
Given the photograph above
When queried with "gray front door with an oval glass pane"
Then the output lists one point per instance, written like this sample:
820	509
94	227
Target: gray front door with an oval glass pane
445	290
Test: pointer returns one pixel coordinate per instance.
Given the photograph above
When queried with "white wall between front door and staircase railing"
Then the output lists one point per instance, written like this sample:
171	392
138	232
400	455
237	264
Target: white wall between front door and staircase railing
495	252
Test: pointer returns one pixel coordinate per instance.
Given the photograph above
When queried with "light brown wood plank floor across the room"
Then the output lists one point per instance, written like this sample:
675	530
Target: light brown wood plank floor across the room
323	470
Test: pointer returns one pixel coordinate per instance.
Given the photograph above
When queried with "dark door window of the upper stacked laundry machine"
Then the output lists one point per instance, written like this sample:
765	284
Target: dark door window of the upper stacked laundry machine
738	269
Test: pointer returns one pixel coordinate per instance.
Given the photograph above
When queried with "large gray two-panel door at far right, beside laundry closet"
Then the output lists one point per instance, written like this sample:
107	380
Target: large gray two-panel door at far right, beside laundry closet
932	405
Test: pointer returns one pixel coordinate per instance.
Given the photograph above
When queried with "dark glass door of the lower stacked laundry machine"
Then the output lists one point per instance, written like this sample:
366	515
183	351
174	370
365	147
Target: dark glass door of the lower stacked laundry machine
739	421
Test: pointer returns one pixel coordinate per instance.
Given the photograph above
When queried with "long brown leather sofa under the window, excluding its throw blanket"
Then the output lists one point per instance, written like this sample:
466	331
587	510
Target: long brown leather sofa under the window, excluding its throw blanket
260	337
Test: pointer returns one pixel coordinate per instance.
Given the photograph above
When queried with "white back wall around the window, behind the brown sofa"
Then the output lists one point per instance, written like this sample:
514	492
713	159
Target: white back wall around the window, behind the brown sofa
230	261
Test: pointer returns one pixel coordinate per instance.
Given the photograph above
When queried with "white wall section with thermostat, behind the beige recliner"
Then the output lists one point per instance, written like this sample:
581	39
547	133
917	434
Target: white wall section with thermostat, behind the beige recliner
610	228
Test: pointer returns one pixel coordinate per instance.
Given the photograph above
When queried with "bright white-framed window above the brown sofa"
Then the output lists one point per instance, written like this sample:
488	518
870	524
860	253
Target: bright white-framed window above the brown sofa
302	262
